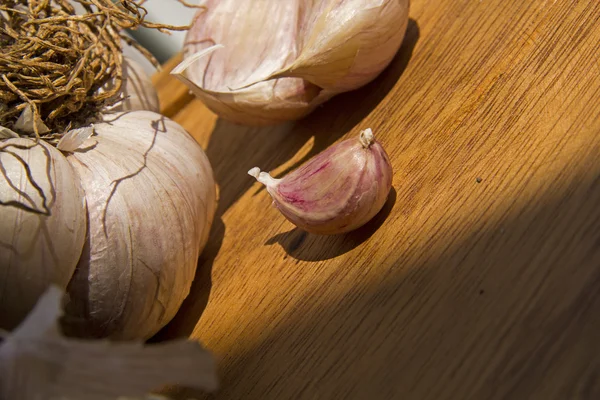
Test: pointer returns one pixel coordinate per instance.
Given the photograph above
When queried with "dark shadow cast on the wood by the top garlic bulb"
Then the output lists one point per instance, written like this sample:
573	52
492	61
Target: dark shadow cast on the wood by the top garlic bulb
274	145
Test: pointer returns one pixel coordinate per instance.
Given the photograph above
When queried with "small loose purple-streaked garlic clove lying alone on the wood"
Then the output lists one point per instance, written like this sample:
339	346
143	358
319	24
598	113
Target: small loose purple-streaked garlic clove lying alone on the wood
338	190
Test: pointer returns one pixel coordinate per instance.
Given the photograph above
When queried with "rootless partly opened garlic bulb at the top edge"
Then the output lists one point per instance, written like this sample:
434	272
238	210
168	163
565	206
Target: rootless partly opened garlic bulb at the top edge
281	59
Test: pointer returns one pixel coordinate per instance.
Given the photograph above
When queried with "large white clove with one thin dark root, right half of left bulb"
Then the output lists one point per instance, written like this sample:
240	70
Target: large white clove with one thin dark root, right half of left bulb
151	201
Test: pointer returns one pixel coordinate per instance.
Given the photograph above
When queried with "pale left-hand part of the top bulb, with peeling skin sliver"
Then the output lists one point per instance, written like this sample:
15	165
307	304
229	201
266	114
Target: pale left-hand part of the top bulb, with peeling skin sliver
249	55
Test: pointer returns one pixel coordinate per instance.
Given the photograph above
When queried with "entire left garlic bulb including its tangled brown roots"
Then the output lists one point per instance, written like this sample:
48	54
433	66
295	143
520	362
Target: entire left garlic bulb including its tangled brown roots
121	215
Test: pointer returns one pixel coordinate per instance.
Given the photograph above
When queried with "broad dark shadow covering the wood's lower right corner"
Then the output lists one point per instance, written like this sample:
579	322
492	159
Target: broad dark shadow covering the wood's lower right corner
491	316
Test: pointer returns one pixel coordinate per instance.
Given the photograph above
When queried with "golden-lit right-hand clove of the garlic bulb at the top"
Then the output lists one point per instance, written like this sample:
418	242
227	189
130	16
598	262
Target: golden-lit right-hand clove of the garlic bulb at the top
350	42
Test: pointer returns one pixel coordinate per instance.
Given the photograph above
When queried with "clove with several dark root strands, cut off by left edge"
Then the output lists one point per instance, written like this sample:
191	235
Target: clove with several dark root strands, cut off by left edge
42	224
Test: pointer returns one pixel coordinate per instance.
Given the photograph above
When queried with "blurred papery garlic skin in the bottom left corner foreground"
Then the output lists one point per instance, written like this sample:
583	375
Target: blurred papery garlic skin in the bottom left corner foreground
37	362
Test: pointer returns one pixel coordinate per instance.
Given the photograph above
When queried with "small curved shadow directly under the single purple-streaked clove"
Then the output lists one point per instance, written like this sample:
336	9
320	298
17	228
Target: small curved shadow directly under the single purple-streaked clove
305	246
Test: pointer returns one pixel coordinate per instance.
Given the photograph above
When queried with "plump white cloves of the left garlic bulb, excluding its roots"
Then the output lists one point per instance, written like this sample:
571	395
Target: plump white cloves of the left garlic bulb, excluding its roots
151	198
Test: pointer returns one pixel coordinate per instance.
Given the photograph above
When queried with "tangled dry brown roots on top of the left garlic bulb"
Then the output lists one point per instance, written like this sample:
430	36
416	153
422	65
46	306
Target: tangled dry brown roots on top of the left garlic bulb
56	60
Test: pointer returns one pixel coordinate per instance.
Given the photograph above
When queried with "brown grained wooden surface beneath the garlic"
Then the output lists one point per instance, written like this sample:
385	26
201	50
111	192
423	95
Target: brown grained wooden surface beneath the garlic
480	279
